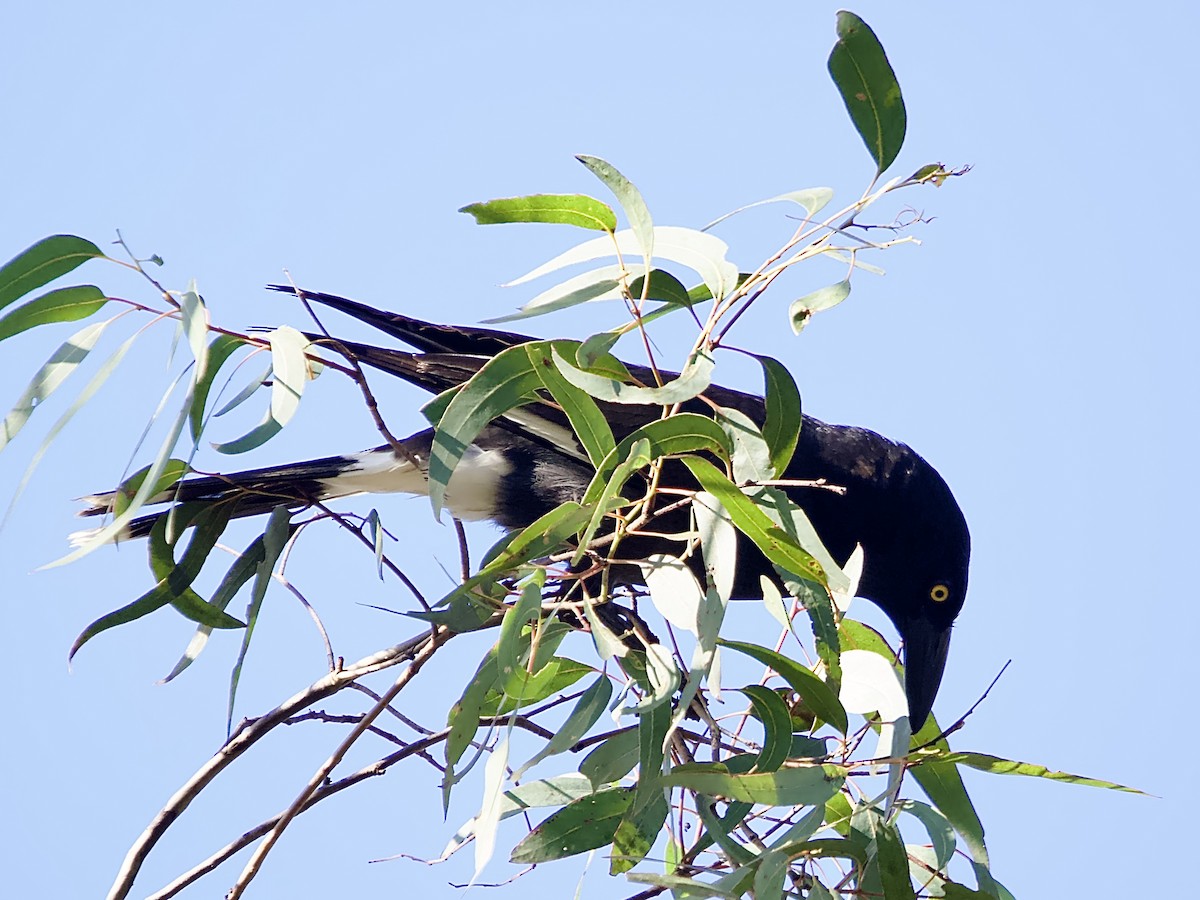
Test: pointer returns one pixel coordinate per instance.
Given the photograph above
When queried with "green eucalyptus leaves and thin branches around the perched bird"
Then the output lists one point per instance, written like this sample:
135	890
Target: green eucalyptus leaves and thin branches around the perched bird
790	785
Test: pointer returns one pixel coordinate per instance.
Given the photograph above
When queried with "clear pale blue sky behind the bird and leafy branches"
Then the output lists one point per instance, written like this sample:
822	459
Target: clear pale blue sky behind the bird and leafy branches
1039	349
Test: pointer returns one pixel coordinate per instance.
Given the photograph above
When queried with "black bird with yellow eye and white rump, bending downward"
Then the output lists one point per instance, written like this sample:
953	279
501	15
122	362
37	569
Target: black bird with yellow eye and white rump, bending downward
914	536
